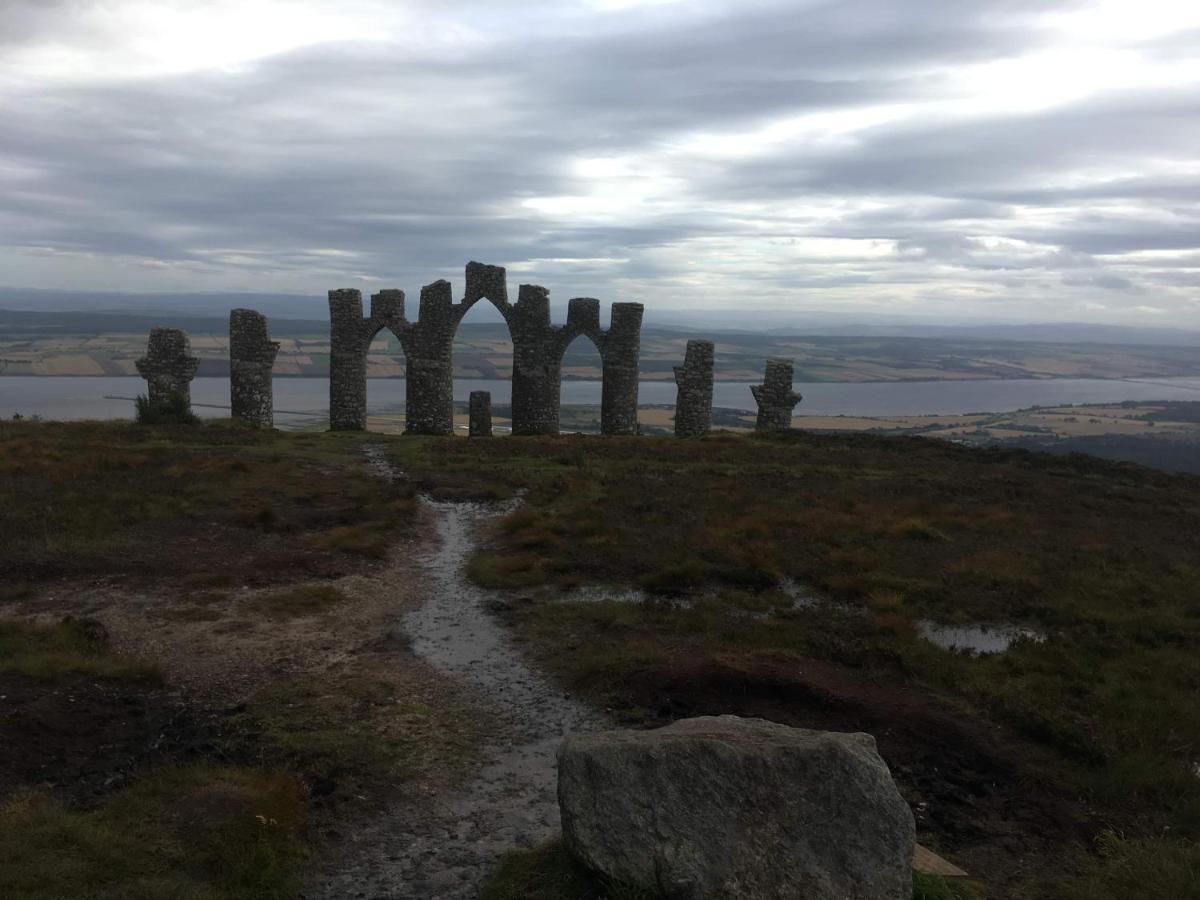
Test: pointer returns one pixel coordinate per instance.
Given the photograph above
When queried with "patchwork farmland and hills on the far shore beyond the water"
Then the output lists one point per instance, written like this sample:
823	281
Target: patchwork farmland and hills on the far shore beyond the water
484	351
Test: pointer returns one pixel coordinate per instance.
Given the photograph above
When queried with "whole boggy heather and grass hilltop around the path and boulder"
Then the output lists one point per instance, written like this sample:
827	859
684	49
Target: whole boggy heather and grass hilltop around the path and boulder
243	700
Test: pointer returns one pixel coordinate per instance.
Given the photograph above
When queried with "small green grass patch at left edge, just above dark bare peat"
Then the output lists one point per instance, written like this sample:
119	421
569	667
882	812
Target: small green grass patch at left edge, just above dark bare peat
68	649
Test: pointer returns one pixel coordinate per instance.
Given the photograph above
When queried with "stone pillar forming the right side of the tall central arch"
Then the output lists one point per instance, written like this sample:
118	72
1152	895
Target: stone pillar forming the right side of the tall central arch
537	364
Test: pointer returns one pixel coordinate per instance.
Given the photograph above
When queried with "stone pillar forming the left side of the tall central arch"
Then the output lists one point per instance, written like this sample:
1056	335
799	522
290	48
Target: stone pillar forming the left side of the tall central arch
429	404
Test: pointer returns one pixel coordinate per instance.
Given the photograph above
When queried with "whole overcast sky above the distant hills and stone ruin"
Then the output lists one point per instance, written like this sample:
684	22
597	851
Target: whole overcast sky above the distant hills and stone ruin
955	159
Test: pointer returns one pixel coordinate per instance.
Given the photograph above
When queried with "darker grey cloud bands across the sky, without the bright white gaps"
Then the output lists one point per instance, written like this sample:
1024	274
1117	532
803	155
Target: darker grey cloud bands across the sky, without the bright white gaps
411	163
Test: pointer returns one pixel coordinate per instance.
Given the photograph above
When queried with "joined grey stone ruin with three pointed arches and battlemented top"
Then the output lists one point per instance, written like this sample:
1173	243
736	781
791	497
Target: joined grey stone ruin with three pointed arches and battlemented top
538	350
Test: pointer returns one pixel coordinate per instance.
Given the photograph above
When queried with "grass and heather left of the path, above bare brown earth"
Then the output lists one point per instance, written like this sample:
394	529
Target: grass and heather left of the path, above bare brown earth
250	503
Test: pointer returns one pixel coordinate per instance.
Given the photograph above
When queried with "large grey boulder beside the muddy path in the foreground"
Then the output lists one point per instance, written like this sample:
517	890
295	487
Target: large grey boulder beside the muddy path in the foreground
723	807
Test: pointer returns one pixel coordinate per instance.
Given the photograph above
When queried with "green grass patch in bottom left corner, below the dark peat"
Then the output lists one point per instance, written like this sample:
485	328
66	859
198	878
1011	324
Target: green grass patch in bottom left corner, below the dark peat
179	835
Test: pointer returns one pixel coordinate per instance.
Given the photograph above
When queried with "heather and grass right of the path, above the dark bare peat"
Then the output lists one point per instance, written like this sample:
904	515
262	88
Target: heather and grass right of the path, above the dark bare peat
886	533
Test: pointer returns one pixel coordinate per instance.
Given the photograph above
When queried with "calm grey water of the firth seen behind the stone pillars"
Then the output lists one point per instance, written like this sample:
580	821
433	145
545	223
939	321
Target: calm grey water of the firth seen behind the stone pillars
64	398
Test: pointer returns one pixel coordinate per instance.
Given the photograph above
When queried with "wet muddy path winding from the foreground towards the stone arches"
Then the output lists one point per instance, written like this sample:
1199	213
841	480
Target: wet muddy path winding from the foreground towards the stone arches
443	844
